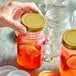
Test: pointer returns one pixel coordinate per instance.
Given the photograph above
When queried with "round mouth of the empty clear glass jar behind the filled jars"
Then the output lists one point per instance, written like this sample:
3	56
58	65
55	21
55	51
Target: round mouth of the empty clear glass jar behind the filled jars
57	16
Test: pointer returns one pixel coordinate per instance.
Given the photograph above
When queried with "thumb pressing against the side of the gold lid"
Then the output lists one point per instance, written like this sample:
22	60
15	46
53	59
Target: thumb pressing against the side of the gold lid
17	26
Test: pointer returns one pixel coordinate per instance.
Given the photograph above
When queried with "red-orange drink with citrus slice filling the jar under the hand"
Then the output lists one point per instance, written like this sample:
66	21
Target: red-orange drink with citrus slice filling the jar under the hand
29	51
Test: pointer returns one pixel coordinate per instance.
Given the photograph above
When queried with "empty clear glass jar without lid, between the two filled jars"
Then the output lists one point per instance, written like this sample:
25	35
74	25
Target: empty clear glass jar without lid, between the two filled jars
57	24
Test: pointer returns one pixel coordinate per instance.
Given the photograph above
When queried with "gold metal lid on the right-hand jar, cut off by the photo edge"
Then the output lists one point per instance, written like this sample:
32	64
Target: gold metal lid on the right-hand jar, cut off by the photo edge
69	39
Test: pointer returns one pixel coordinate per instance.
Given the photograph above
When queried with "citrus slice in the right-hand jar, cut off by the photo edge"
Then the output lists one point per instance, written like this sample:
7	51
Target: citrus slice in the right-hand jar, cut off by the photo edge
71	62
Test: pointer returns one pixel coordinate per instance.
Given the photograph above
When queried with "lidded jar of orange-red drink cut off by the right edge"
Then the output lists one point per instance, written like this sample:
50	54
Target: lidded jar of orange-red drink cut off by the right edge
68	54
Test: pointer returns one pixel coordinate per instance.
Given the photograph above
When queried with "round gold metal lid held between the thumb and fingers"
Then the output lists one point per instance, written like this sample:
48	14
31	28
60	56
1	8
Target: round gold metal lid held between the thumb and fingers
34	22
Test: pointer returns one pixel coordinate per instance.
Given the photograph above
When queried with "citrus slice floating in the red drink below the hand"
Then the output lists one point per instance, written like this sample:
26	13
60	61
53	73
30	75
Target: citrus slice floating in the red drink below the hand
29	49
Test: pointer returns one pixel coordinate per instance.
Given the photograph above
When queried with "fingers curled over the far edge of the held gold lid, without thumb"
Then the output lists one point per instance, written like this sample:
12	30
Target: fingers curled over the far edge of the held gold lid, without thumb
22	8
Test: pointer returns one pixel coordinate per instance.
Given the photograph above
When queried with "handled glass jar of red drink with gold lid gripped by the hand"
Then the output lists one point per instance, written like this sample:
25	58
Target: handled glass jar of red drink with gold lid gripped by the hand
31	47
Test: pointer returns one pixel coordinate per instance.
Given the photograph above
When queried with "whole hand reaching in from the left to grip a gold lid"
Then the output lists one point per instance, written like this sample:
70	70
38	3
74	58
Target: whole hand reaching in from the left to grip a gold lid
11	12
